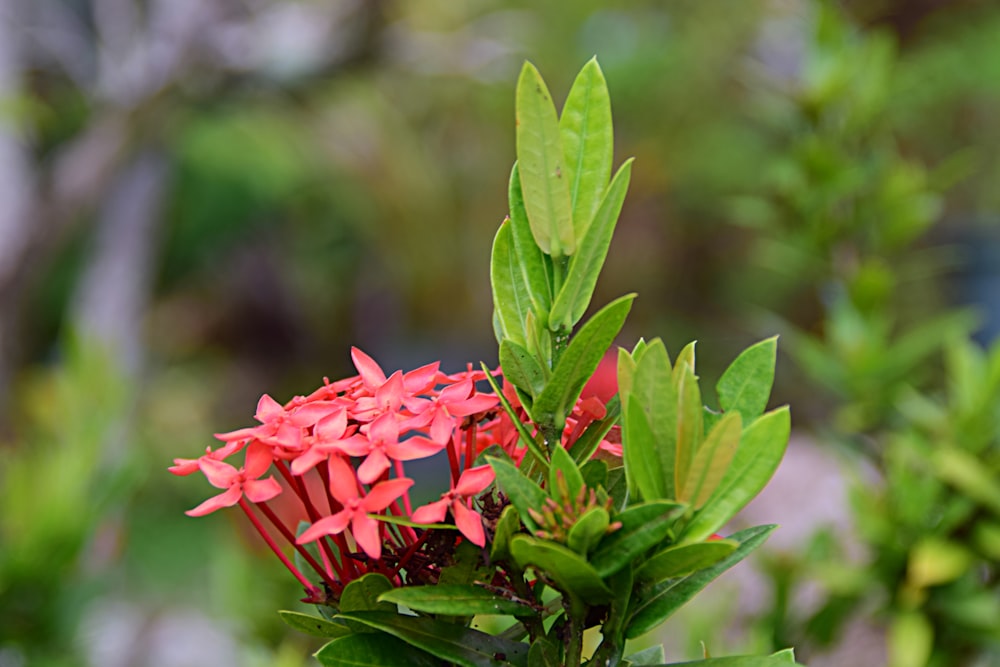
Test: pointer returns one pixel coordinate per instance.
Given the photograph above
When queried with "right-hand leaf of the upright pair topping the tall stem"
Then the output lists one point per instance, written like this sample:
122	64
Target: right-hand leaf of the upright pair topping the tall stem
587	139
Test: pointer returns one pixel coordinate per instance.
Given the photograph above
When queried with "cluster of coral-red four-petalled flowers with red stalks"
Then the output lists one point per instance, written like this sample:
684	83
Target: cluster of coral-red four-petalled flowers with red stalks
356	435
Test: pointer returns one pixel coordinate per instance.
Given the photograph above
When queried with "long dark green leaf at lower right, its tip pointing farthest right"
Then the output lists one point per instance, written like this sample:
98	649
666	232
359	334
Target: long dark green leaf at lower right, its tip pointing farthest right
654	604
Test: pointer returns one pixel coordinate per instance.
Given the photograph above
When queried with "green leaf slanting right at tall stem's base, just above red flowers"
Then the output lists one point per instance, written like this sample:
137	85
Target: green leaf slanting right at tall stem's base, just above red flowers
579	361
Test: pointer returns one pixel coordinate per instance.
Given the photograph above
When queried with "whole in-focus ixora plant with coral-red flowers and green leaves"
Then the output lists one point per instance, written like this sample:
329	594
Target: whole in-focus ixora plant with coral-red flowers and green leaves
564	512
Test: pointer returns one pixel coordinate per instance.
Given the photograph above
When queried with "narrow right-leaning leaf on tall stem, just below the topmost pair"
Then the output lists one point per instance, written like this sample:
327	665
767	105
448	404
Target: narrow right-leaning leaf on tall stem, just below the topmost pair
592	249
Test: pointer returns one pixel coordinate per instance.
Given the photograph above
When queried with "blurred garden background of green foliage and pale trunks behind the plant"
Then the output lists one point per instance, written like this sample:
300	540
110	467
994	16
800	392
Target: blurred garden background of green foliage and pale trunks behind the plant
205	200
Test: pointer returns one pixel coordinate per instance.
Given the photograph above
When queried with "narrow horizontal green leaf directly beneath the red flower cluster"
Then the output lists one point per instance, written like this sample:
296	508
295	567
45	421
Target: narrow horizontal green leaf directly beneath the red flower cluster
455	600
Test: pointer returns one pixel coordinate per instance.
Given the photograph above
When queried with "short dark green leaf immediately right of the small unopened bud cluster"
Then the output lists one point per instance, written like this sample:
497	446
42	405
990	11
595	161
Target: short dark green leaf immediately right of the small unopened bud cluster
643	527
